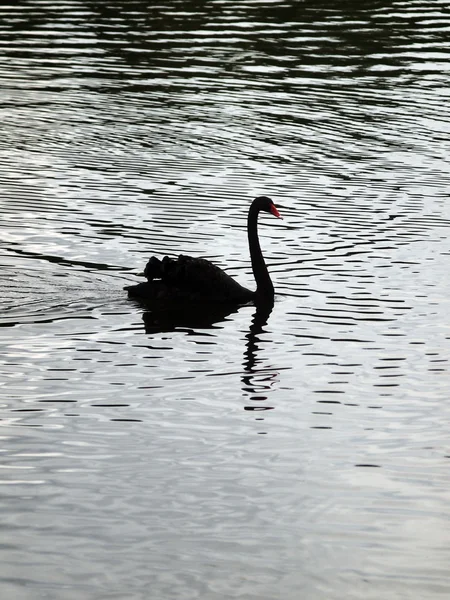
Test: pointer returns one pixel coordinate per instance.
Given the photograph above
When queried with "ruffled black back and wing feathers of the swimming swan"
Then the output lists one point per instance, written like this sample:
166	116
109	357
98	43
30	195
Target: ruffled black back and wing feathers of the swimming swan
196	276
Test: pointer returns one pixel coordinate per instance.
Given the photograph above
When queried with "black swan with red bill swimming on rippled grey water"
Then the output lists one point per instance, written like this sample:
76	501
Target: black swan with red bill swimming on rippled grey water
188	280
